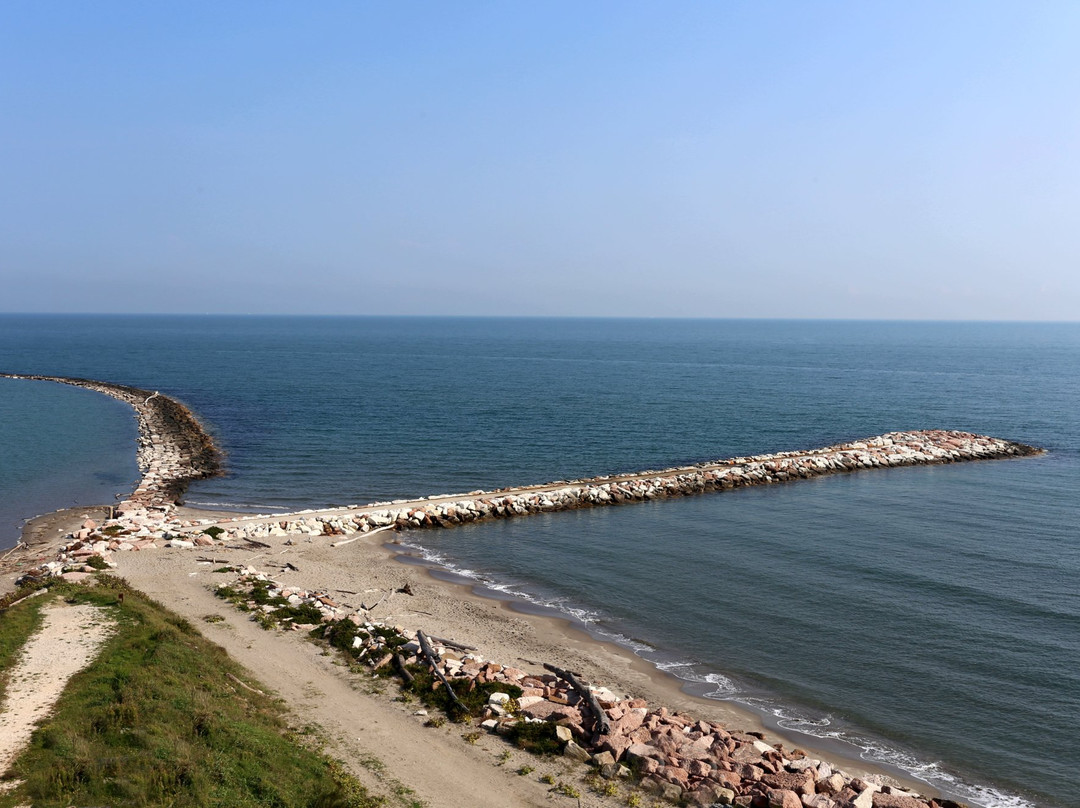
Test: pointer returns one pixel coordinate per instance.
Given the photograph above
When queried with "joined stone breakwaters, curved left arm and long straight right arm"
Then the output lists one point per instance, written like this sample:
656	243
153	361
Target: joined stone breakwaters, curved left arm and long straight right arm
175	450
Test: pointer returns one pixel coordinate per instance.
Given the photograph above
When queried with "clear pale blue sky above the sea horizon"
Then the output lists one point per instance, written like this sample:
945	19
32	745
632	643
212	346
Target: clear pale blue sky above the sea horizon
904	159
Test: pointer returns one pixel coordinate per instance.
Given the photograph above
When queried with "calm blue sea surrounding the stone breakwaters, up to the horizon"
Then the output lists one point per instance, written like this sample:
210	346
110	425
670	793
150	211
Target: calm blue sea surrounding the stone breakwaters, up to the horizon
929	616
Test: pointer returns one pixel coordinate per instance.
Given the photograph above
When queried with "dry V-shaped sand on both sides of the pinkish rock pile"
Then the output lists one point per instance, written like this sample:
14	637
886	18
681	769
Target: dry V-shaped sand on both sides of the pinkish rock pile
362	726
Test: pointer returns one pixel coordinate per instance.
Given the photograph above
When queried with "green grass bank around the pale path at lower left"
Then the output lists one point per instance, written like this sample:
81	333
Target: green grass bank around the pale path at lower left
157	721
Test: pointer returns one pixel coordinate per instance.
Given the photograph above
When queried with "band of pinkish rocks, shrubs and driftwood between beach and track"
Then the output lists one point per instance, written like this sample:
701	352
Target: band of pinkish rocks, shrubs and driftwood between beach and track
672	756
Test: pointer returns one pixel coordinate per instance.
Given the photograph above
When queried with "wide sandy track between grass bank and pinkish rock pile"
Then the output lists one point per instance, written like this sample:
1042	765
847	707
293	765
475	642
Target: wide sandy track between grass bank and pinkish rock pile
384	743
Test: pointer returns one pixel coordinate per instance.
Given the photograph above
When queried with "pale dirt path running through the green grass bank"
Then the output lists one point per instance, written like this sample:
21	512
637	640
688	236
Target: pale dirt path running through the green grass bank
69	641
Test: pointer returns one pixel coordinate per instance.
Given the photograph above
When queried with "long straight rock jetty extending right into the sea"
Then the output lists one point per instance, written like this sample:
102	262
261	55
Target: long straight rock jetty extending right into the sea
888	451
